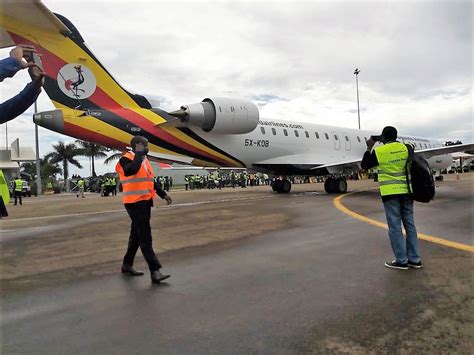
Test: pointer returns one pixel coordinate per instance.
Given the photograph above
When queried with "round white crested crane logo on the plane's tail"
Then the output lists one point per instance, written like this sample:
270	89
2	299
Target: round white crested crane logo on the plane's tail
76	81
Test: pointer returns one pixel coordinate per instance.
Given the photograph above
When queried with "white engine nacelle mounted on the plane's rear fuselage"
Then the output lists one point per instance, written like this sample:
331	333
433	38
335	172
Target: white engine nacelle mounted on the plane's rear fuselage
221	115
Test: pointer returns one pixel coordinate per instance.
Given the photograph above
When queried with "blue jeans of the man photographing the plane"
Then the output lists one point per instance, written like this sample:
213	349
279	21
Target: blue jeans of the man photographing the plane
400	209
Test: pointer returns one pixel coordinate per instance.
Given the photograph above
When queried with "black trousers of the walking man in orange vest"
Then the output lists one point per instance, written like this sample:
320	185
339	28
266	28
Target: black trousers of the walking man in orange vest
140	234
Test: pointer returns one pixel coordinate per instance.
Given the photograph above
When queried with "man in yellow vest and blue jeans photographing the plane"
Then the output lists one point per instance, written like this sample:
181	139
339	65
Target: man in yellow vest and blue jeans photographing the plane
391	160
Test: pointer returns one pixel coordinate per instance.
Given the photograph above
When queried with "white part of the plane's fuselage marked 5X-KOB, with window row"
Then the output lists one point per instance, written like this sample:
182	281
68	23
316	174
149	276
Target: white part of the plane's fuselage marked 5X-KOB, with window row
304	144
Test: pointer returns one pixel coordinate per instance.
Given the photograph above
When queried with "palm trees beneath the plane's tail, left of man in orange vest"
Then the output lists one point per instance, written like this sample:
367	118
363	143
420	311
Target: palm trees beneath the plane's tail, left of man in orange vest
57	161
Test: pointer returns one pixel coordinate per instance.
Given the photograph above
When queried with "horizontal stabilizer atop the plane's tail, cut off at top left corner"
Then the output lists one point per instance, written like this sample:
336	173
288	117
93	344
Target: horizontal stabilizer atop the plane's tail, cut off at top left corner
31	12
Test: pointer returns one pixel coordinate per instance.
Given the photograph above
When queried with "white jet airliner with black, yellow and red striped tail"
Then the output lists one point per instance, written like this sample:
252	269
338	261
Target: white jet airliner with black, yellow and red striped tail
217	132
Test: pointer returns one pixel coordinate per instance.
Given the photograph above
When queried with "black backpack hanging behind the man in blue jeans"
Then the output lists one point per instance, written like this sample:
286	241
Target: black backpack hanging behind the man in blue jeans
420	180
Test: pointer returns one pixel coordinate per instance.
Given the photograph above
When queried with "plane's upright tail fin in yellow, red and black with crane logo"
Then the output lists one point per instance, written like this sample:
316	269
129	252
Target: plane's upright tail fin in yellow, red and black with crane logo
75	78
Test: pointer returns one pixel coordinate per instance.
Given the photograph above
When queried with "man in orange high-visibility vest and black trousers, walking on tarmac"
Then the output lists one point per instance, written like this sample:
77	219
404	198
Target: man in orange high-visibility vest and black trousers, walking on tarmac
137	179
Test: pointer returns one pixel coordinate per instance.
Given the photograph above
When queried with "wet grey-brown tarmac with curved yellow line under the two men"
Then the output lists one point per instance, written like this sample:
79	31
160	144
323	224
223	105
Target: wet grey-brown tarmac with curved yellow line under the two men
252	271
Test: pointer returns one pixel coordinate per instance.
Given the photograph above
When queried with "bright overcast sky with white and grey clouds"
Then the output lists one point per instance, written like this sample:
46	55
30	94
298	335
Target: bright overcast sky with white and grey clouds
295	60
